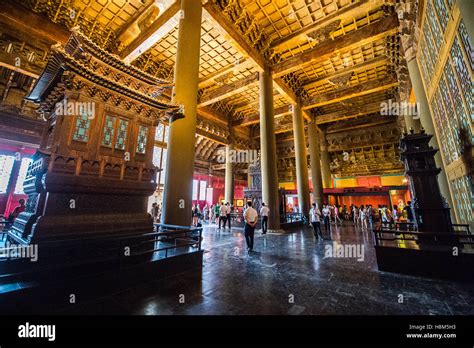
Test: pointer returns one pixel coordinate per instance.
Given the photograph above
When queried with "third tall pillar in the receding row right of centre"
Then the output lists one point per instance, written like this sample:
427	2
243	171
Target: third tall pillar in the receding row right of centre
316	177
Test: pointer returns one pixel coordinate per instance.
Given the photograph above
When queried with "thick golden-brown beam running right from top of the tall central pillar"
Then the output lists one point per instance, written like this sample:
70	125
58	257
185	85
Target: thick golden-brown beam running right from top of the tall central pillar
385	26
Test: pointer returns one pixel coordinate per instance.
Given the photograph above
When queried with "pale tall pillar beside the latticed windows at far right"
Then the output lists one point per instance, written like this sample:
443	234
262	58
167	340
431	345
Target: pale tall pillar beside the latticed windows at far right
427	123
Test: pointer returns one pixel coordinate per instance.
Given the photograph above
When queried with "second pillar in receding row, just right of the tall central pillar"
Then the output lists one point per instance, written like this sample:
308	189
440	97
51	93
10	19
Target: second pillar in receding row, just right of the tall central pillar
301	160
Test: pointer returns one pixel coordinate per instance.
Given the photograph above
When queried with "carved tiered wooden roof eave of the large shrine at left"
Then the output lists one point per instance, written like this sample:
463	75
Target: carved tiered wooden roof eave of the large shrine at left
71	67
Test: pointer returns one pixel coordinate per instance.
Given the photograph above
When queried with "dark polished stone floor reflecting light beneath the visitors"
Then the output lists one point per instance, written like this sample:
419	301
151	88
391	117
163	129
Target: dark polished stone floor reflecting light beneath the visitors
286	274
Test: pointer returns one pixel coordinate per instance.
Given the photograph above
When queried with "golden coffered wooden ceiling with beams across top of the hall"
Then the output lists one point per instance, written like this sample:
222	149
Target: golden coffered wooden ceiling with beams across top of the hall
339	58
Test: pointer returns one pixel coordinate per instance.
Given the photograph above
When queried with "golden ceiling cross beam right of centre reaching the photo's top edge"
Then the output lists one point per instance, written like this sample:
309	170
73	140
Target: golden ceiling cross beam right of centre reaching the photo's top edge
352	10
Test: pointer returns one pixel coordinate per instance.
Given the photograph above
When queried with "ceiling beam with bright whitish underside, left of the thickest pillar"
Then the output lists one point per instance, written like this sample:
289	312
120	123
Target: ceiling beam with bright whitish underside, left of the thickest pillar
151	35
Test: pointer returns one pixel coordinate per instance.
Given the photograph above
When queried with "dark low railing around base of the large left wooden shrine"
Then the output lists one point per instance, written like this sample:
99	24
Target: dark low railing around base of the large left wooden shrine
85	251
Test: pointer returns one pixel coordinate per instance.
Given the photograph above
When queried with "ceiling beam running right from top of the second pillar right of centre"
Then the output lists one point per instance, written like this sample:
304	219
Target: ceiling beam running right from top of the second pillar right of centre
350	92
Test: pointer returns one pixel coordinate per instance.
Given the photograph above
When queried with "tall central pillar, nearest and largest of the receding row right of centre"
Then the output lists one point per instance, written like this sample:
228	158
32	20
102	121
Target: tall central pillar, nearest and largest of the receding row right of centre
268	150
